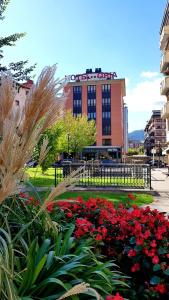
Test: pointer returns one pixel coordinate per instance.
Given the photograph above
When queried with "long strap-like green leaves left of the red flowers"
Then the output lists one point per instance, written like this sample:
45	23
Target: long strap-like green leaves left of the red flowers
47	266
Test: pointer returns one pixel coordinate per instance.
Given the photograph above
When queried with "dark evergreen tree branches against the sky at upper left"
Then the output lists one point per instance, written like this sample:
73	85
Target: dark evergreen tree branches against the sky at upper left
19	70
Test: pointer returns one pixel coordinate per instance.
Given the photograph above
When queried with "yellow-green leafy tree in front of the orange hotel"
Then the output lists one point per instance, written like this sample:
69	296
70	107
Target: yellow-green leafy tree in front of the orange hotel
77	132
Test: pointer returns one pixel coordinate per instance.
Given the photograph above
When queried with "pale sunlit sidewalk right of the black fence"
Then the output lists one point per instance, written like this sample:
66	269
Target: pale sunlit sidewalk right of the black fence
160	184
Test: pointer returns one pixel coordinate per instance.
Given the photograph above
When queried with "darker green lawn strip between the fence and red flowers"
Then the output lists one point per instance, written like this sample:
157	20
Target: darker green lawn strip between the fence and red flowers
116	197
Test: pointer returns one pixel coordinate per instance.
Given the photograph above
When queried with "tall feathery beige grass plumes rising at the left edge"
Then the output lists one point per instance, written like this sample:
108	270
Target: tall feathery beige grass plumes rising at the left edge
21	129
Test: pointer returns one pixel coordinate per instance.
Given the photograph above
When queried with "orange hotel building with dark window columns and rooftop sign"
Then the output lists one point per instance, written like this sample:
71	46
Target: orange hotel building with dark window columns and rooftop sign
99	96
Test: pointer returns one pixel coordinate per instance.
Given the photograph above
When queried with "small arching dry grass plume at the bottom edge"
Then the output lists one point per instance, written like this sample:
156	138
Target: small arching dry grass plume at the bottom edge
81	288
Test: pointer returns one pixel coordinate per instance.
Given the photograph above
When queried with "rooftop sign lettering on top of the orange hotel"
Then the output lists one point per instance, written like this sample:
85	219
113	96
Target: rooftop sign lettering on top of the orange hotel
91	76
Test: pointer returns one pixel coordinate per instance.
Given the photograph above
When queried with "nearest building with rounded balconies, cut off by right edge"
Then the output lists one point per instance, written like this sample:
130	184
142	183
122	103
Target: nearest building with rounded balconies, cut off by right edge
164	68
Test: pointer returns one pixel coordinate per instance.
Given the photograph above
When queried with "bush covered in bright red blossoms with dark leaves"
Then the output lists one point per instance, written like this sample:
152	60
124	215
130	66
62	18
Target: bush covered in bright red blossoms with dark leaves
138	238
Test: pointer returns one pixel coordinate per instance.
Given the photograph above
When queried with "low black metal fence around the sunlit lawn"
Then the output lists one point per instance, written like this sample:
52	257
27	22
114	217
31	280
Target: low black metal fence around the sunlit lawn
127	176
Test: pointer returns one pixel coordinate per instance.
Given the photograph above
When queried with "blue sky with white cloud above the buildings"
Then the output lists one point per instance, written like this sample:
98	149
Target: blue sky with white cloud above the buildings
121	36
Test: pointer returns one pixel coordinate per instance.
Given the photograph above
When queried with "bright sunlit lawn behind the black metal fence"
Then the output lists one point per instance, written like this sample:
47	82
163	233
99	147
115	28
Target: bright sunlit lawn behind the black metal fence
48	179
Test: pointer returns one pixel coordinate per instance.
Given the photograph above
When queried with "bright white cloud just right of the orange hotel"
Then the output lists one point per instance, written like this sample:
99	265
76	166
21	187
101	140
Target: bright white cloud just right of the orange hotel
145	96
